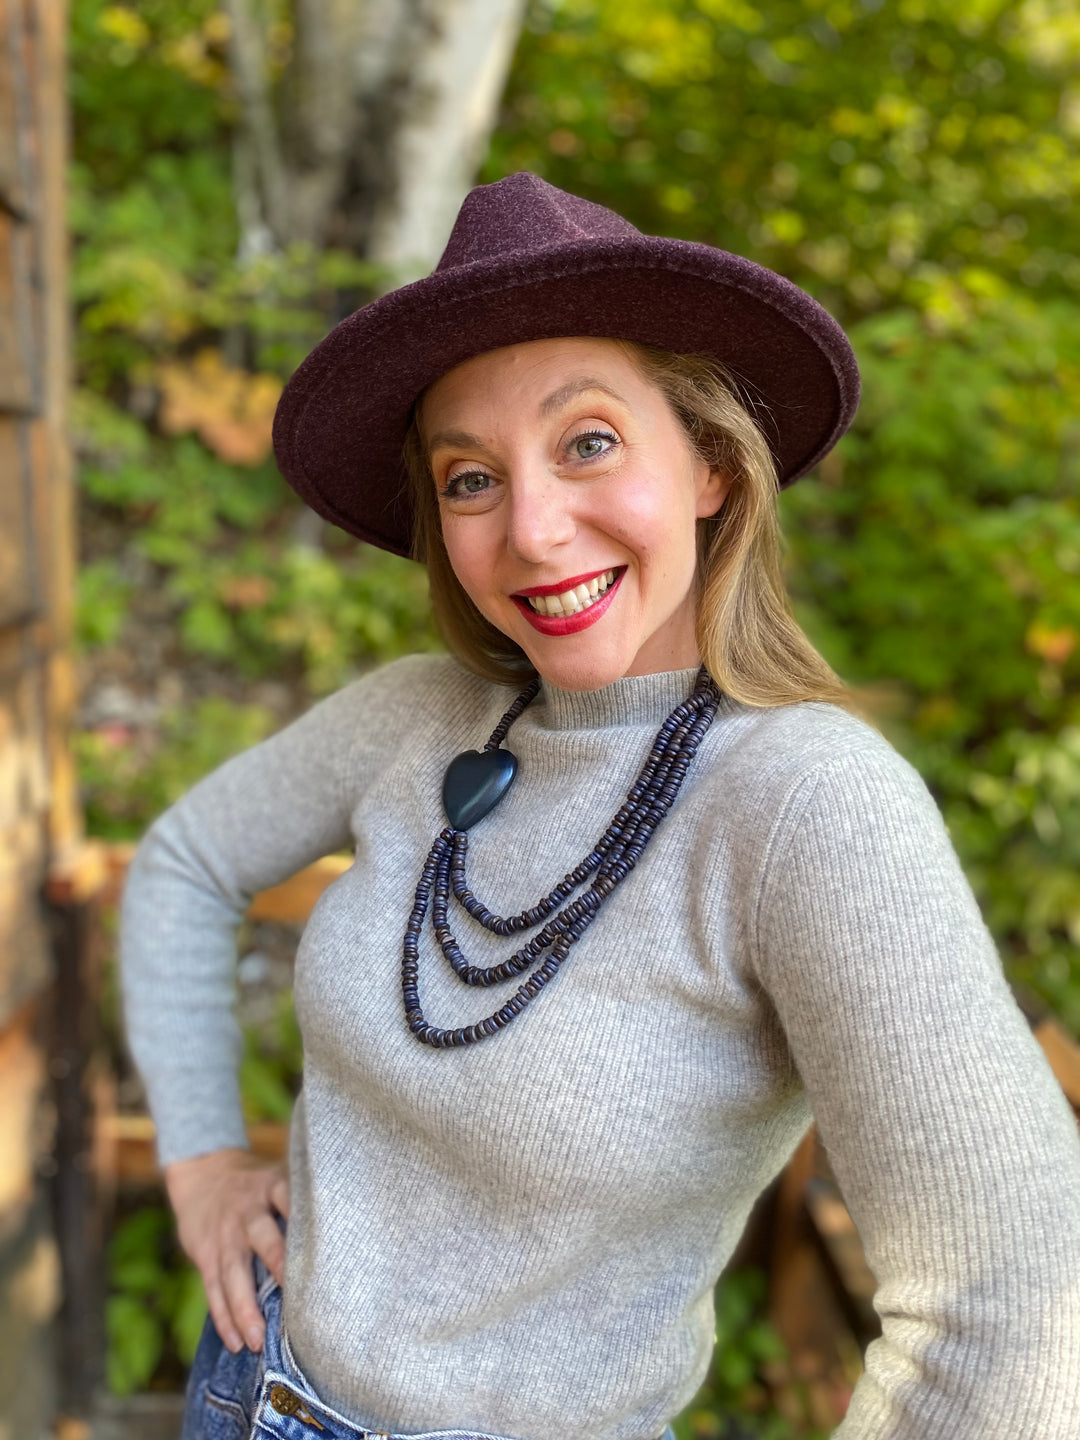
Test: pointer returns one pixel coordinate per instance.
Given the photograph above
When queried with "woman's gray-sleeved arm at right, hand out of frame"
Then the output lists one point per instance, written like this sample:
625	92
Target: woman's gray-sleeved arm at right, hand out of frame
957	1153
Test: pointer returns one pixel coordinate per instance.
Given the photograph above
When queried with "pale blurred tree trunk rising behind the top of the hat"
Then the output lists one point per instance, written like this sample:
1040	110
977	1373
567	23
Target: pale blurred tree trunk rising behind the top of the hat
377	129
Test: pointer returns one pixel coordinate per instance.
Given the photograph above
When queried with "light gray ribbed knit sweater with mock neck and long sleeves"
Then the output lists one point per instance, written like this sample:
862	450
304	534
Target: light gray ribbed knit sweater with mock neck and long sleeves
523	1236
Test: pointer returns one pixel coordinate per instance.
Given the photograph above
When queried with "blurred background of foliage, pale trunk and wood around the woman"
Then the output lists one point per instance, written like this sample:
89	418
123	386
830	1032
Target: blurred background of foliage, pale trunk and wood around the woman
244	174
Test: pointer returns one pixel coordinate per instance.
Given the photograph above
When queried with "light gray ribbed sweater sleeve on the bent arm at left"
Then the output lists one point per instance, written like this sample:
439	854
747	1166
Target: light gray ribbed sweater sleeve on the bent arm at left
248	826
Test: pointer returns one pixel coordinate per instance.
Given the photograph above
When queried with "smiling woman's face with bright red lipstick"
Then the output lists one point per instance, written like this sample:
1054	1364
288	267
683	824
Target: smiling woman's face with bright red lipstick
570	498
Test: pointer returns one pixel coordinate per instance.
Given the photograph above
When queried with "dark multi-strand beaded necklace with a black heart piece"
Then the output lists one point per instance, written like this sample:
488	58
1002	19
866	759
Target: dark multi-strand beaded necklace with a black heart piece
476	783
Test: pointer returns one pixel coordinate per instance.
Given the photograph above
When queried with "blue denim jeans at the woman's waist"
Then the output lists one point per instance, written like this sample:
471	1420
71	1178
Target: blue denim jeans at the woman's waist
264	1395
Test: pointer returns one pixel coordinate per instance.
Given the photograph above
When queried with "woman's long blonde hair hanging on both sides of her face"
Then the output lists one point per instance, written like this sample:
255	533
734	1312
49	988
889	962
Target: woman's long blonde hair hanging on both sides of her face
747	633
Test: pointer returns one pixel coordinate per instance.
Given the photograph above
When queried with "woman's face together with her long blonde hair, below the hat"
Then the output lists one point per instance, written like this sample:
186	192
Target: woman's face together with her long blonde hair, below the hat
675	464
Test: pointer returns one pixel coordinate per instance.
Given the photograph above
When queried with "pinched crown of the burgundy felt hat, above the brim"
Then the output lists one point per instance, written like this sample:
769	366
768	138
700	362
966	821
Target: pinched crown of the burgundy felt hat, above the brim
523	215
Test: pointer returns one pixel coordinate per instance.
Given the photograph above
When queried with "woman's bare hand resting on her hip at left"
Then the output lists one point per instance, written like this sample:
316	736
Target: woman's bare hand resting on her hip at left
225	1206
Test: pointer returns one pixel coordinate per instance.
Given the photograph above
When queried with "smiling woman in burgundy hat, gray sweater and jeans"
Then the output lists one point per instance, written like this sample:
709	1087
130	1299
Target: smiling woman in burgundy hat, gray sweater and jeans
510	1199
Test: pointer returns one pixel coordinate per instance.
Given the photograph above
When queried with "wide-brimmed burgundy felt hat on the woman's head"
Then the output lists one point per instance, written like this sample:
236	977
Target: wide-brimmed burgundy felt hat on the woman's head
528	261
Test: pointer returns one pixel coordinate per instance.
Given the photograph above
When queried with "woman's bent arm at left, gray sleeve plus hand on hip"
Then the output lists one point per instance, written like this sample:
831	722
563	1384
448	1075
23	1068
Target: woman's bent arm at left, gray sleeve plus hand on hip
256	822
